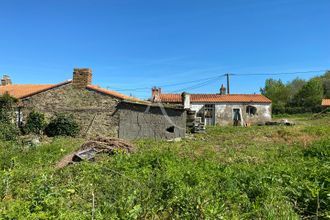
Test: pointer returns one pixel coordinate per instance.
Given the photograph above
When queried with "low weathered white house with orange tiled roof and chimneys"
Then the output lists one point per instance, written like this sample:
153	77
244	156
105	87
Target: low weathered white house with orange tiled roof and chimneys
221	109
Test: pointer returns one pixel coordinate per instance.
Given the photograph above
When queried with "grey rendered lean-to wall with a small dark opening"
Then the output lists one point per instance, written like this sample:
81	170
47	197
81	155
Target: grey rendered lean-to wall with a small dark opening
143	121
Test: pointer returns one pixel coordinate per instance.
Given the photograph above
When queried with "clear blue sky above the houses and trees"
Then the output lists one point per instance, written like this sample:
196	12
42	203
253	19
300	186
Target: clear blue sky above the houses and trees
142	43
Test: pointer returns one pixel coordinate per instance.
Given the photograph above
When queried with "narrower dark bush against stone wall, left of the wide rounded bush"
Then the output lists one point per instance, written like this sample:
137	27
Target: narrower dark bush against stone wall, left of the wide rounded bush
36	123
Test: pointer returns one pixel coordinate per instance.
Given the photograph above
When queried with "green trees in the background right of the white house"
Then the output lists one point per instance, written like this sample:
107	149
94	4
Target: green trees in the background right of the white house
297	96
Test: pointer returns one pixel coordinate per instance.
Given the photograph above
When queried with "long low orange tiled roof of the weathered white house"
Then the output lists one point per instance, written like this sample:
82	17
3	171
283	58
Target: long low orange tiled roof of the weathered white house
215	98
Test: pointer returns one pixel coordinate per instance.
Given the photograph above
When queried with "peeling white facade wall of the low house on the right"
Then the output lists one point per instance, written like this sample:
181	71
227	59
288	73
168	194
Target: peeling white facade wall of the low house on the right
224	112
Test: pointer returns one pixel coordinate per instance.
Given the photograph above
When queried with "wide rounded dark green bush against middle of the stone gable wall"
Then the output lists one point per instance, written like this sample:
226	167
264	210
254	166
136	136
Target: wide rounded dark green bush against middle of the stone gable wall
62	125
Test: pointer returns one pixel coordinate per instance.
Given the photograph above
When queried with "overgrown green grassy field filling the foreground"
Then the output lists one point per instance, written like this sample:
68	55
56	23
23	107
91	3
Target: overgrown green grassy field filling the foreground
273	172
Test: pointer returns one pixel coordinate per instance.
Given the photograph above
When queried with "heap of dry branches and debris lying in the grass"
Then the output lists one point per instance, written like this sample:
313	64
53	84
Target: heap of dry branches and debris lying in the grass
90	149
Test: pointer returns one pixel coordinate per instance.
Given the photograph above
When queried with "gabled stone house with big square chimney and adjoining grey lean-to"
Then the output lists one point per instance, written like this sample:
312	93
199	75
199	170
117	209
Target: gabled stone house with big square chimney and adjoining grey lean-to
99	111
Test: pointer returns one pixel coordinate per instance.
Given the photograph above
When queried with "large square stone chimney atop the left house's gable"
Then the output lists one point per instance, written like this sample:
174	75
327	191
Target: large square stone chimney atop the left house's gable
82	77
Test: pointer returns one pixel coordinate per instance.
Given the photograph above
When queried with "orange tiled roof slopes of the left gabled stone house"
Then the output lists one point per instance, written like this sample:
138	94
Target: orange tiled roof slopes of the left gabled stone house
21	91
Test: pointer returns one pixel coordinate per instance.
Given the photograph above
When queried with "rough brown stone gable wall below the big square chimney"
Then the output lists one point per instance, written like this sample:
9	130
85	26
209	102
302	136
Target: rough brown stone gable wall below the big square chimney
94	111
